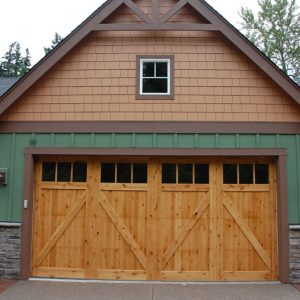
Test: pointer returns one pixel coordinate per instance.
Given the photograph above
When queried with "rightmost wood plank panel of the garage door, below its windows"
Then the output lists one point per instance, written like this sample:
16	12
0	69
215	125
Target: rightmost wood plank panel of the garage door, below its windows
249	230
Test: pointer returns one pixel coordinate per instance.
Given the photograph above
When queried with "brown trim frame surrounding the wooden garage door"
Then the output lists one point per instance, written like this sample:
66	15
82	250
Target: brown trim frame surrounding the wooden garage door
31	153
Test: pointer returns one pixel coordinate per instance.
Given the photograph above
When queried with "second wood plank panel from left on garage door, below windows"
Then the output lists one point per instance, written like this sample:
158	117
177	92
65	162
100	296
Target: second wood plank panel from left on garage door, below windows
122	242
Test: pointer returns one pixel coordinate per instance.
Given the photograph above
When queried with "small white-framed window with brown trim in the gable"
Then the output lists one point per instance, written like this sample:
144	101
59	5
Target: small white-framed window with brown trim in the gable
155	77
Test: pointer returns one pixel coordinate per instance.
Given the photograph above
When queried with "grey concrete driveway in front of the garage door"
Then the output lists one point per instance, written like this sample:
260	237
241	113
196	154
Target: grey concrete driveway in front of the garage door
44	290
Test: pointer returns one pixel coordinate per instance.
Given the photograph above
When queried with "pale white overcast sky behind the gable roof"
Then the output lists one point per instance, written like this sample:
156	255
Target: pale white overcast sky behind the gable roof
33	23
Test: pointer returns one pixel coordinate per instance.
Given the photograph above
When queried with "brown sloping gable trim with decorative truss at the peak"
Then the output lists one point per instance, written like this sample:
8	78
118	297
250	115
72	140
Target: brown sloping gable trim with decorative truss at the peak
96	22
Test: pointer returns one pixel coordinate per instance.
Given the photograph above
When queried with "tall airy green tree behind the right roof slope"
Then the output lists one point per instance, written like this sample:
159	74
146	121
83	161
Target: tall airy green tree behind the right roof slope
276	32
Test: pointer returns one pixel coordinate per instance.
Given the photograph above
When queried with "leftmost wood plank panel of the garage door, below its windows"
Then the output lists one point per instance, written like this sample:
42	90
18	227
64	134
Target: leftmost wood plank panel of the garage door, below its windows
58	230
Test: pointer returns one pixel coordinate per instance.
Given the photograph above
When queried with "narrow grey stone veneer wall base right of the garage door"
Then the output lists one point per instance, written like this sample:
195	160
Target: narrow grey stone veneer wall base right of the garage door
295	254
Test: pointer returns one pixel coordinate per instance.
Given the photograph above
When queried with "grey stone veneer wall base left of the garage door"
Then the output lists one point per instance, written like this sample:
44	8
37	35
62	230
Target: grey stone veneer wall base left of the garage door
10	237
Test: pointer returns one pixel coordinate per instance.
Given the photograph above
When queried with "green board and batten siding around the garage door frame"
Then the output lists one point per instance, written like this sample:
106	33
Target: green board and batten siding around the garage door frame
12	157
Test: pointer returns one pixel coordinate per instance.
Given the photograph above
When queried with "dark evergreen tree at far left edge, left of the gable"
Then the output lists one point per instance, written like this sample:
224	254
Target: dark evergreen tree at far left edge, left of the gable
13	64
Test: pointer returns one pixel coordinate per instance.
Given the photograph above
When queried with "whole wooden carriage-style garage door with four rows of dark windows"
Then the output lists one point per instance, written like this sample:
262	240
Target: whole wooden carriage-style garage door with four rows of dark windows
155	219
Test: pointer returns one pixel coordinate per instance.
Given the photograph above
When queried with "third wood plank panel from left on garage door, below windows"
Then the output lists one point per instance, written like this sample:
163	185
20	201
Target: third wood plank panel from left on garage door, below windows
184	234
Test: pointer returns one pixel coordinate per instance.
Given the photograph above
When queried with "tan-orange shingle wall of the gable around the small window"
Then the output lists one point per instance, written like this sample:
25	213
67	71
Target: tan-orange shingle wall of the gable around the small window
213	80
